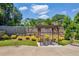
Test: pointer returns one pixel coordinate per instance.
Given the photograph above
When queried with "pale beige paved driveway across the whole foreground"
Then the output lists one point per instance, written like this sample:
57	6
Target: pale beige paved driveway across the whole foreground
39	51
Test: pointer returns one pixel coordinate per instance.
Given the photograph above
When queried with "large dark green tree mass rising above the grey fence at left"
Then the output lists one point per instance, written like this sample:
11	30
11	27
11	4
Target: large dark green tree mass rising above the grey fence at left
9	15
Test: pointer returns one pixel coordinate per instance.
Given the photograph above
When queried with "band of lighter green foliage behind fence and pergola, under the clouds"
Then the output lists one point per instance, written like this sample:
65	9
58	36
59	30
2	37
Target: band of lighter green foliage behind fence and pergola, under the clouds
34	22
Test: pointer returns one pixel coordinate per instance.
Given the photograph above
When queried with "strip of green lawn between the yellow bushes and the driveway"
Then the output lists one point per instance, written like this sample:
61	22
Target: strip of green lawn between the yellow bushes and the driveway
17	43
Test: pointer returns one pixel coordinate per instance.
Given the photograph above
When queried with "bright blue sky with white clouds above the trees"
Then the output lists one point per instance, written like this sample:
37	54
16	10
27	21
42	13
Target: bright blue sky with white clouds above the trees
46	10
